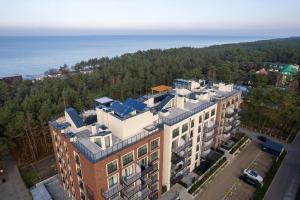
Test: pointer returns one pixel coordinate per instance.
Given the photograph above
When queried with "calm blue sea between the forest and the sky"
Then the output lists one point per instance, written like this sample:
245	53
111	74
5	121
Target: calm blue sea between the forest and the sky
33	55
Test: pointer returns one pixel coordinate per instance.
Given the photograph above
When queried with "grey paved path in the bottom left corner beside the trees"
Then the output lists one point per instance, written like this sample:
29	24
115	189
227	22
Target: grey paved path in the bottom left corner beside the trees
13	188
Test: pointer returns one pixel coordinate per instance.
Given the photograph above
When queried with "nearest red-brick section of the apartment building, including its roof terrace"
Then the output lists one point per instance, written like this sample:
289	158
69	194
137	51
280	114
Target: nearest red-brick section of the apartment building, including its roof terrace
113	152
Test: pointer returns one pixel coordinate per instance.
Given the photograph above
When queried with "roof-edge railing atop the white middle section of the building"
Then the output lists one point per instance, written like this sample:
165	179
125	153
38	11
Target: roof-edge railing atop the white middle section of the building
178	118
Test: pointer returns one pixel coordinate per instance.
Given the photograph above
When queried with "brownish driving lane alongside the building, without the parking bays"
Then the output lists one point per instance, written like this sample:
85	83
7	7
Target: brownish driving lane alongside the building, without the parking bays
225	179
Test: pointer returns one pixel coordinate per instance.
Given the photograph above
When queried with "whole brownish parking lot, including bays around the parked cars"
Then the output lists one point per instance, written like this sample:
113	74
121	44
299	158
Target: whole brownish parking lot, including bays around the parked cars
227	184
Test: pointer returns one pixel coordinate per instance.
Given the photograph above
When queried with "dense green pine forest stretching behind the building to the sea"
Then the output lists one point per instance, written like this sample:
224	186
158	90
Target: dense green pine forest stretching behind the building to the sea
27	106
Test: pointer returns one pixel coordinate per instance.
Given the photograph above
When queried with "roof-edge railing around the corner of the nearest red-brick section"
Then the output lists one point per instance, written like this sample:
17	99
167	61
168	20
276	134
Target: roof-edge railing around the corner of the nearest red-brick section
94	157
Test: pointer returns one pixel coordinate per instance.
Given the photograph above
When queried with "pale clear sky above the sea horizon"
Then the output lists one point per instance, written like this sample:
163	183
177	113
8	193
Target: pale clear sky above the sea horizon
196	17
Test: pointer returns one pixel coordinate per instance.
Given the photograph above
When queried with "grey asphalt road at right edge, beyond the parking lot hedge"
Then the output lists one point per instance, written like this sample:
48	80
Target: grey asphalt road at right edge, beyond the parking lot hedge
287	180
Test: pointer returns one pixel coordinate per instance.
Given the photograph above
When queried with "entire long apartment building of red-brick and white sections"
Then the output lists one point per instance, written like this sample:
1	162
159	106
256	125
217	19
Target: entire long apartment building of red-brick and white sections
132	149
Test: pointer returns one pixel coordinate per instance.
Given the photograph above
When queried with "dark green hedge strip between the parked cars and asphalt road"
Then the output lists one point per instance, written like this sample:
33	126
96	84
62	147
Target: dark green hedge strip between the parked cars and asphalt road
260	192
